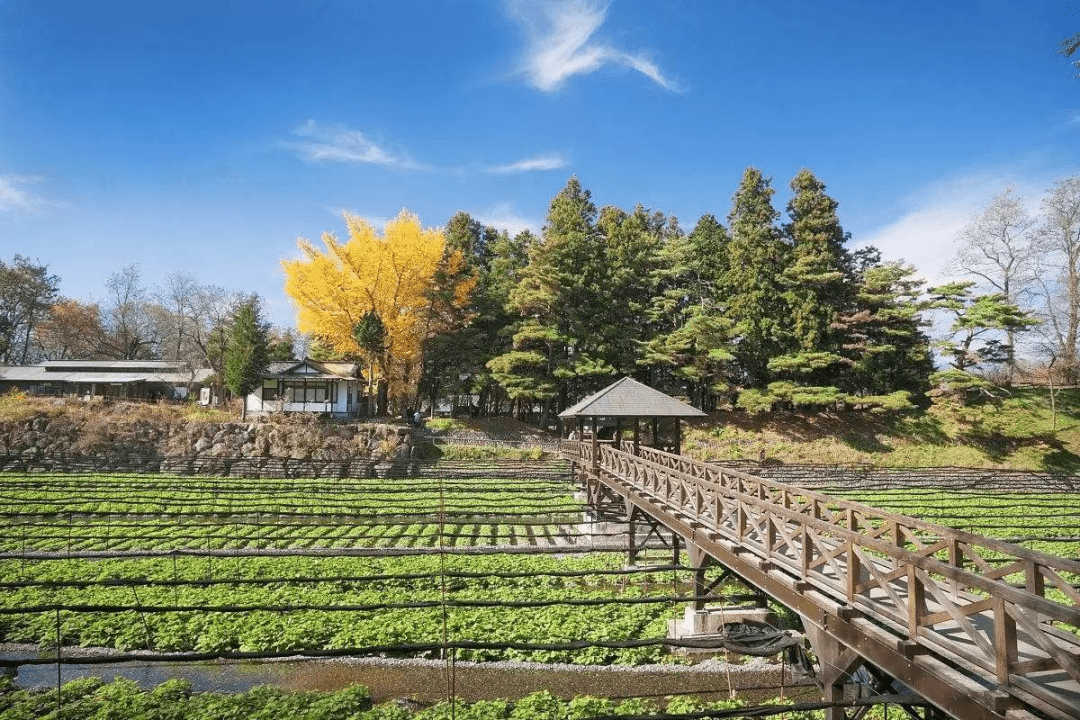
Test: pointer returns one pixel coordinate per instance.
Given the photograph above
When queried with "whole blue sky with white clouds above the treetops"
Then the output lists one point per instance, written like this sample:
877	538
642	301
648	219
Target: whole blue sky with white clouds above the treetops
208	138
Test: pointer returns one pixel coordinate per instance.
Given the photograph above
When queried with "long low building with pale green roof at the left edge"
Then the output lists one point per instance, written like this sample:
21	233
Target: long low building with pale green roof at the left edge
138	379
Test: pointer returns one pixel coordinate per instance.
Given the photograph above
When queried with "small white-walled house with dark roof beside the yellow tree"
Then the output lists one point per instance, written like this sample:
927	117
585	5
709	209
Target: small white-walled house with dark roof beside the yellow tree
307	386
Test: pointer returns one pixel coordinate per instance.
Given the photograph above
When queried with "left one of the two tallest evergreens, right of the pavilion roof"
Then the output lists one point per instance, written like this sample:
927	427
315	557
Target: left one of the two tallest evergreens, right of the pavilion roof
752	284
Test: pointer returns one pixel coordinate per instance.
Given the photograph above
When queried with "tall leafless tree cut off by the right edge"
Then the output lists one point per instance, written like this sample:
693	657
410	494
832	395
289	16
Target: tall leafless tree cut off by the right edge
1057	269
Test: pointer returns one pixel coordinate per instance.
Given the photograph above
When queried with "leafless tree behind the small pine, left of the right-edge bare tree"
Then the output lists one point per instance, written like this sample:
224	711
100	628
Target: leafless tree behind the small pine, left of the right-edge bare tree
996	248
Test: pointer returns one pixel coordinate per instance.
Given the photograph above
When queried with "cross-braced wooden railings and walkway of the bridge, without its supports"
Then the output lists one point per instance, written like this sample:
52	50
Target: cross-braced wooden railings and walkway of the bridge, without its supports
974	601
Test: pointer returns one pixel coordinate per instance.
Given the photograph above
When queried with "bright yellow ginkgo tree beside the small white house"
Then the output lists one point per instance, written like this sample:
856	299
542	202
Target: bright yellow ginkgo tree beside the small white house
406	279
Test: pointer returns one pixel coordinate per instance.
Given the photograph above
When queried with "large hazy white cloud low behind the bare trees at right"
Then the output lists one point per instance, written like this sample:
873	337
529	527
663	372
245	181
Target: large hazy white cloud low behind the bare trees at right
926	235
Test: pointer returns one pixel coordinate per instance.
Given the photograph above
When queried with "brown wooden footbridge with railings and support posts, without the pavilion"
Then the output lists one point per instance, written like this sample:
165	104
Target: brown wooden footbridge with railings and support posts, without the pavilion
963	621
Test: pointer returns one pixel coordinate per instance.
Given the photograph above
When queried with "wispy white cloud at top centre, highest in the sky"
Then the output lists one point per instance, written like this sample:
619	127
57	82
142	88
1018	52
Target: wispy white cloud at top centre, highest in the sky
561	45
